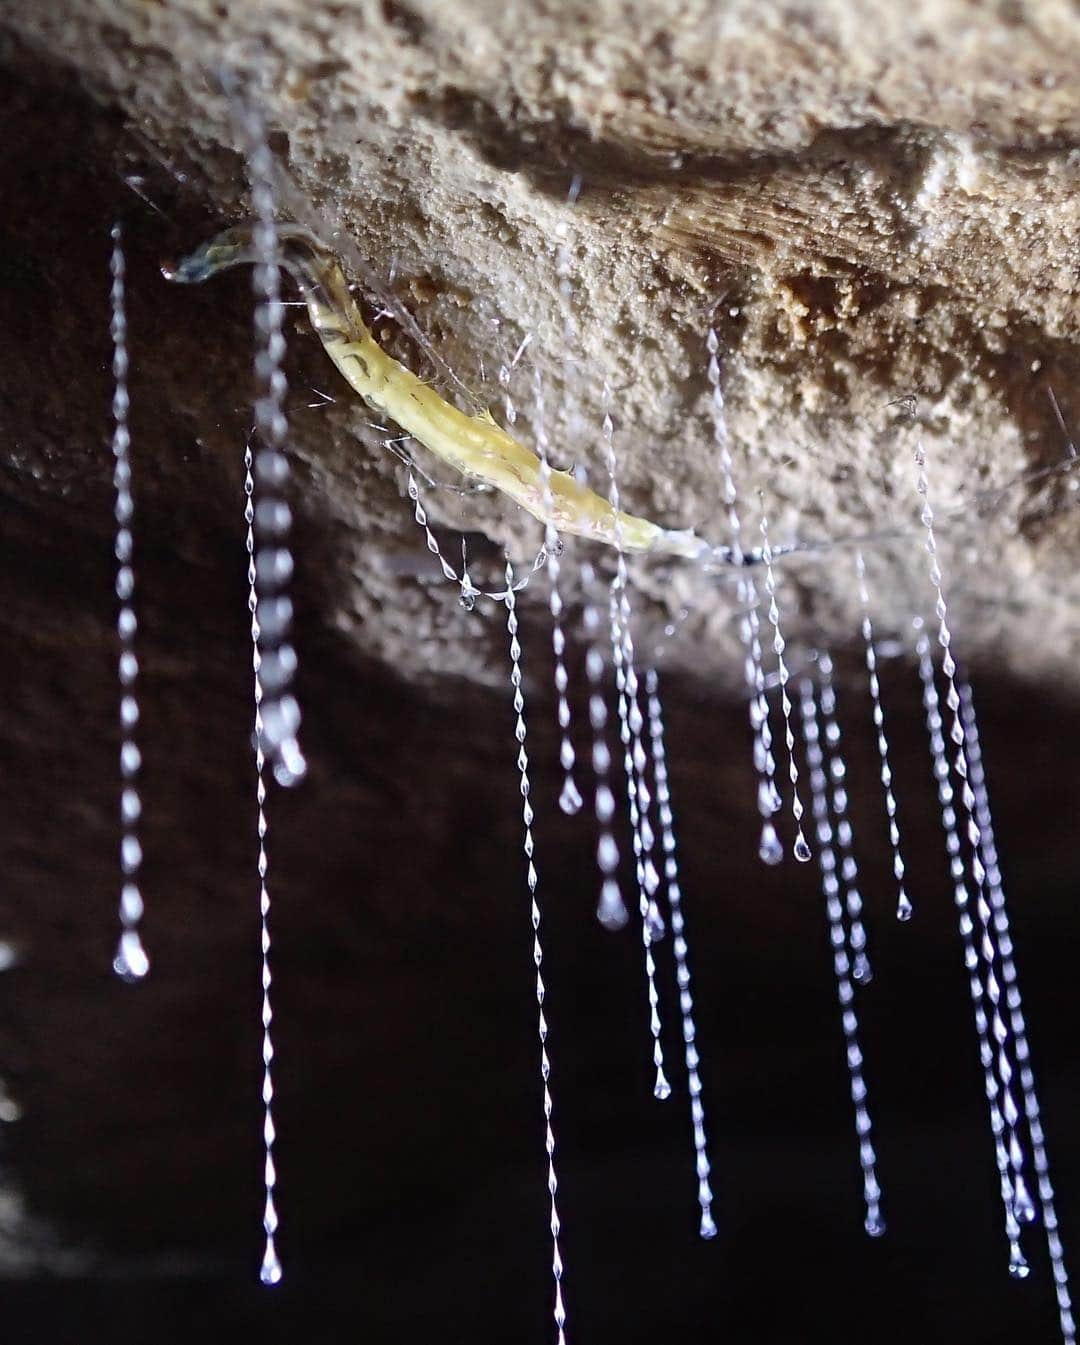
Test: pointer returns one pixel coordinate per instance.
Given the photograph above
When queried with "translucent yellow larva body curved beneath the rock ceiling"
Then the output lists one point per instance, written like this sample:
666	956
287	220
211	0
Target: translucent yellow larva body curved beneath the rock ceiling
473	446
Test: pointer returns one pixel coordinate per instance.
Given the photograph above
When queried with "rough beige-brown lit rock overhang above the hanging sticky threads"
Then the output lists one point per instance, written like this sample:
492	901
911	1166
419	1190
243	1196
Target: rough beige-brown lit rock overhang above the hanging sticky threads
875	205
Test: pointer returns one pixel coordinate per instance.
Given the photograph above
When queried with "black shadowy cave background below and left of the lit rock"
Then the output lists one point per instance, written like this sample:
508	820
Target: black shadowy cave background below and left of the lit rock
410	1145
